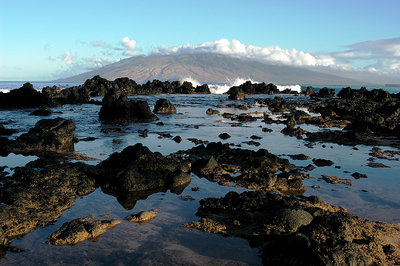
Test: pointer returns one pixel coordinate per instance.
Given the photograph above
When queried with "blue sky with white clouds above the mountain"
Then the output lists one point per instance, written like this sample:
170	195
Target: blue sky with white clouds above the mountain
45	40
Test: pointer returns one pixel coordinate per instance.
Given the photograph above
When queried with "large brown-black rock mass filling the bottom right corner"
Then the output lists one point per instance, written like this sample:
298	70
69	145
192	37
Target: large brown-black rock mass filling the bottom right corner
300	231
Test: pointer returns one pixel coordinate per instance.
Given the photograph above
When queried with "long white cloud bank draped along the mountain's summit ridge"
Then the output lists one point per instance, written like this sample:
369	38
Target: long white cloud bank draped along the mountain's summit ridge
273	54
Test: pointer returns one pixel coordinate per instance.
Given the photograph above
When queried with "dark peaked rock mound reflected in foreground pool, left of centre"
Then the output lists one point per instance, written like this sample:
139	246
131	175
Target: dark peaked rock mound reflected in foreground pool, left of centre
136	168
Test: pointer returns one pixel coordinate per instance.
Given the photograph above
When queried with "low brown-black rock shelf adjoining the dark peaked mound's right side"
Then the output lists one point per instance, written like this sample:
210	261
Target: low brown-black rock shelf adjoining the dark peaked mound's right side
218	162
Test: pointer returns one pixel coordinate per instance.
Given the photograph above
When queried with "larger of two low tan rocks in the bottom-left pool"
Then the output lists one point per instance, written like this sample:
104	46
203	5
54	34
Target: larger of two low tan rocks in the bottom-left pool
79	230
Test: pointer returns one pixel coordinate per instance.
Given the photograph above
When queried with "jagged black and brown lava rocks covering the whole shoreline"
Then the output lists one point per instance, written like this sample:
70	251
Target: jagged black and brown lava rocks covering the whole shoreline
287	228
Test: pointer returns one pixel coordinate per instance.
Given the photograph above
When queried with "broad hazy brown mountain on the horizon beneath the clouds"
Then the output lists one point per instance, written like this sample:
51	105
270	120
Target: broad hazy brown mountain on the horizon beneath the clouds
209	68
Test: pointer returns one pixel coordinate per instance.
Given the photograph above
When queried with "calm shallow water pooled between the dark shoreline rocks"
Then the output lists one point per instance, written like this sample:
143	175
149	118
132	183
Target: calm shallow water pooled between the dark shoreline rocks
163	241
